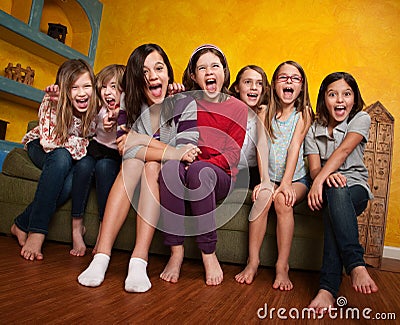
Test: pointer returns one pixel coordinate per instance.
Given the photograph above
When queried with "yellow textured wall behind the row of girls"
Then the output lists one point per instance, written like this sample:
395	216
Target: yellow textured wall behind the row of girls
359	36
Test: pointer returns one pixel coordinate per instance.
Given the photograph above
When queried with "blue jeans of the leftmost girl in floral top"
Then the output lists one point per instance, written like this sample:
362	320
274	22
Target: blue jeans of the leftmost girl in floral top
53	189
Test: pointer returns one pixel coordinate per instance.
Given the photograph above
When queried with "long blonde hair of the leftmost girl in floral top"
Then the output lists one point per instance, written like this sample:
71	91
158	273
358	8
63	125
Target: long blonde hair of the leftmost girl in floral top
67	75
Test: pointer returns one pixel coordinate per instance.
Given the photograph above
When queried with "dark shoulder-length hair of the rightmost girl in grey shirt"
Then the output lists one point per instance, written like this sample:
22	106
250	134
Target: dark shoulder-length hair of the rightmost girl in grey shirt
322	111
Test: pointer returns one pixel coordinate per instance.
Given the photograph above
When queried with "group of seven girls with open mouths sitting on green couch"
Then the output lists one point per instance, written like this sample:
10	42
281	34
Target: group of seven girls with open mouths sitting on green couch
190	150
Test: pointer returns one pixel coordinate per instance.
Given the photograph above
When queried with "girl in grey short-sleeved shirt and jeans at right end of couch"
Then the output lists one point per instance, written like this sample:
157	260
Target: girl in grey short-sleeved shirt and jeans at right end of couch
335	148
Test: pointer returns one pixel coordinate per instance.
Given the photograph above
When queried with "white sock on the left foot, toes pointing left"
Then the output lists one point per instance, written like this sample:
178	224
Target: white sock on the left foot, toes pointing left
93	276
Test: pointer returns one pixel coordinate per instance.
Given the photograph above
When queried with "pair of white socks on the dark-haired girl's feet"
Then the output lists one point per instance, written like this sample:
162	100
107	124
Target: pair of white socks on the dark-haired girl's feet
136	281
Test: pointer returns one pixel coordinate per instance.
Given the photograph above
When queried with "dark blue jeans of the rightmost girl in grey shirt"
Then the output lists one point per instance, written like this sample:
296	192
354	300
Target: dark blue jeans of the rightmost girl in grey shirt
341	244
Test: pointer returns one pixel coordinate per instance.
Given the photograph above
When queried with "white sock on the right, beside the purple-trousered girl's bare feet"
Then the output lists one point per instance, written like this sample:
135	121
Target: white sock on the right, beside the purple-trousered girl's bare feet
137	279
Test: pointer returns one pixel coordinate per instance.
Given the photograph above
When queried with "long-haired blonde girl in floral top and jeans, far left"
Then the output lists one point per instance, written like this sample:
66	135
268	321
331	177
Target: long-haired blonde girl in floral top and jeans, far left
56	145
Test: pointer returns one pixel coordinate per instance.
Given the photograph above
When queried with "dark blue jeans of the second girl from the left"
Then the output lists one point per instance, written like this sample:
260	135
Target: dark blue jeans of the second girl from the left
105	171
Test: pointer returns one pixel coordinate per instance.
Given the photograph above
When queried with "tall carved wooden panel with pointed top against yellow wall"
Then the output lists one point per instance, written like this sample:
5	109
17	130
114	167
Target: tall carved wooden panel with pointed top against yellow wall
378	160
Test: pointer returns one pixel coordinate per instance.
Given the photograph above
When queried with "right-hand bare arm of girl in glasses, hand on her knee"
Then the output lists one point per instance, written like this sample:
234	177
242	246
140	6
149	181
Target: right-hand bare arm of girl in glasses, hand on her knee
291	161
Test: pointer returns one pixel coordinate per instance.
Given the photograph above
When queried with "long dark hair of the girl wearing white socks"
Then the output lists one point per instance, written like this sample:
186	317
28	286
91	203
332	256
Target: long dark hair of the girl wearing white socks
134	81
